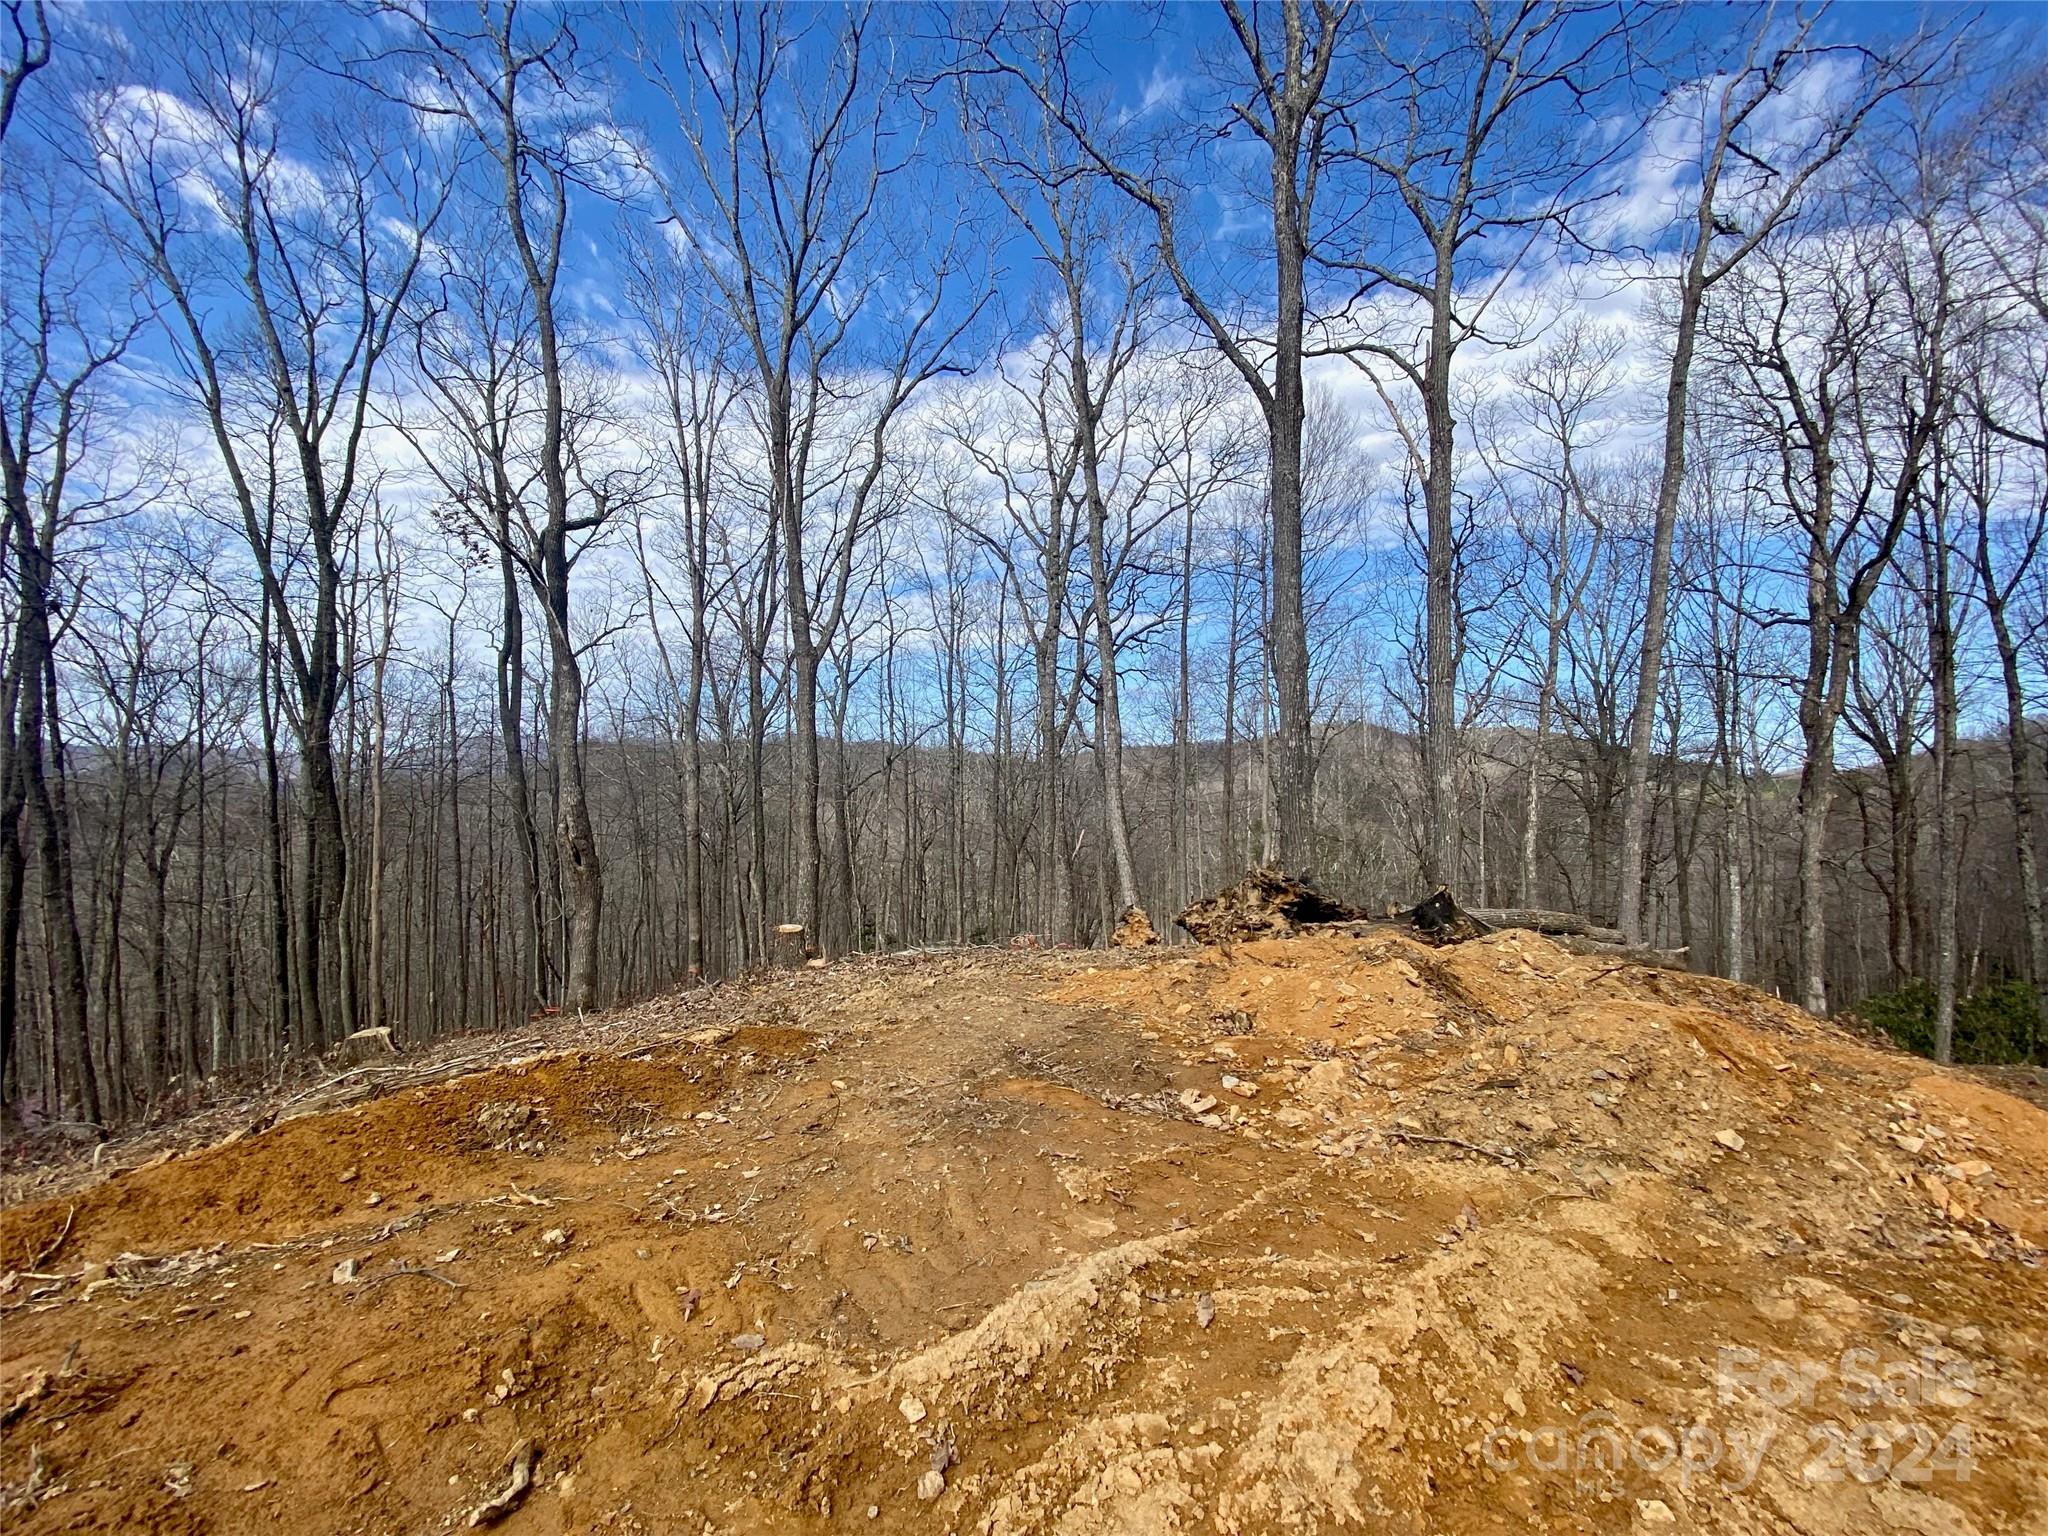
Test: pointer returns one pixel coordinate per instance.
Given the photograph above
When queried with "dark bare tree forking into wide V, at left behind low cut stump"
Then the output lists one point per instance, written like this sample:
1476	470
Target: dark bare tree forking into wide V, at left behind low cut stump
218	202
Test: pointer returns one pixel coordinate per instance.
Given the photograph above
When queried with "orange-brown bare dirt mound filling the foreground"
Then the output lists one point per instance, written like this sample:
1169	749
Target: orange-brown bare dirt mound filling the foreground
1306	1236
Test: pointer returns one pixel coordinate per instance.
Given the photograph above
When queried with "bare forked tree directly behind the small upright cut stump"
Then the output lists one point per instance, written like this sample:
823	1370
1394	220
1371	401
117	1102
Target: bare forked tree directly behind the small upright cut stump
785	175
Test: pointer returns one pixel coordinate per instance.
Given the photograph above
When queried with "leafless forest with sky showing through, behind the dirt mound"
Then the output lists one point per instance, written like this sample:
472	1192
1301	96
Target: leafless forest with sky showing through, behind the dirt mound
511	505
